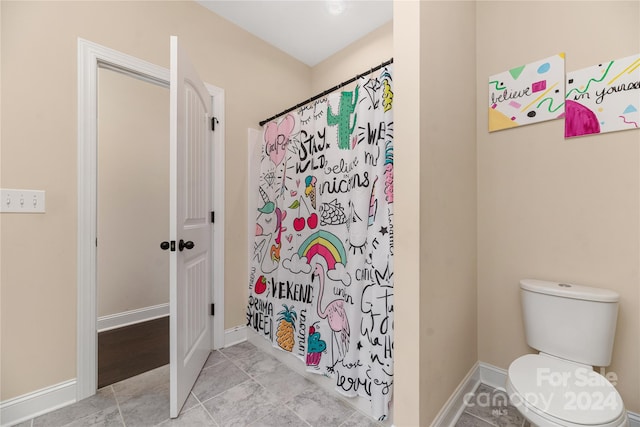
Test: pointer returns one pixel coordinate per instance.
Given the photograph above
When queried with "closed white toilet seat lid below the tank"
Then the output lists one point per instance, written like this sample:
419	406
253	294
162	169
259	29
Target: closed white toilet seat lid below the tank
556	392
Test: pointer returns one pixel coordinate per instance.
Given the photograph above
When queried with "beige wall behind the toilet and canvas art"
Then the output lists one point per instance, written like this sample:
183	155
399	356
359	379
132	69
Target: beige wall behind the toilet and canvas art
551	208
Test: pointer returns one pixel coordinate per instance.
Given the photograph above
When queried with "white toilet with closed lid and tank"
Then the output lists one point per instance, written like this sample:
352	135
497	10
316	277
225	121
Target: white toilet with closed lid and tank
573	327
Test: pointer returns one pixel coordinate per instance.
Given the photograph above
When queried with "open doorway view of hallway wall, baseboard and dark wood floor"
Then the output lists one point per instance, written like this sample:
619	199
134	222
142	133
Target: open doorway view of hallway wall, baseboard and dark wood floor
132	218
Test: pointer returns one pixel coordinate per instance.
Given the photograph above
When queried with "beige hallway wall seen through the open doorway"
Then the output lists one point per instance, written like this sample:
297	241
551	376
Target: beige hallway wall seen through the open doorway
133	193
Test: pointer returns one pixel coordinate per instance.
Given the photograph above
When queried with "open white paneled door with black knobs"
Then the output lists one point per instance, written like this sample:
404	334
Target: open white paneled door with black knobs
190	229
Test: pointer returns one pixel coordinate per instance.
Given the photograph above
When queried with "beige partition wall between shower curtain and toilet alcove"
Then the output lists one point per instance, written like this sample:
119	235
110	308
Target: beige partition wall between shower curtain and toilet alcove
435	205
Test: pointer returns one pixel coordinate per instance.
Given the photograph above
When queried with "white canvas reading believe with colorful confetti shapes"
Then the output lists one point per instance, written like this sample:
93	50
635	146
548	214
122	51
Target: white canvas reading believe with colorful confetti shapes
527	94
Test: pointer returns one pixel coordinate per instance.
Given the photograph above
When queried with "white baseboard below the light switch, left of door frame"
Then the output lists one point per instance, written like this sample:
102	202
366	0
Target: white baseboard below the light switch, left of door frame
39	402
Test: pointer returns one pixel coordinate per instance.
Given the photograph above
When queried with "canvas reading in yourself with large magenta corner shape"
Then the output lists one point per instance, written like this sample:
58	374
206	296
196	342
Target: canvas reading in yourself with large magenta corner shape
603	98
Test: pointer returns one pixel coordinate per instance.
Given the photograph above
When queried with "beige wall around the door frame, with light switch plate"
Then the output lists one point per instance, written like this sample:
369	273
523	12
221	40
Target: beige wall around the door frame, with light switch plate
39	43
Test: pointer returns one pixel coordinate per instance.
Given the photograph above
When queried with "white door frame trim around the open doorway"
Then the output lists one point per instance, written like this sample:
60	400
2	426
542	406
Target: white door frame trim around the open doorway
92	56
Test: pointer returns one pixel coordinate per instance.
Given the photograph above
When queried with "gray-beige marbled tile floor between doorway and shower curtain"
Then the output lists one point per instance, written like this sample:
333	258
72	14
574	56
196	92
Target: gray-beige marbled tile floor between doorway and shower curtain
239	386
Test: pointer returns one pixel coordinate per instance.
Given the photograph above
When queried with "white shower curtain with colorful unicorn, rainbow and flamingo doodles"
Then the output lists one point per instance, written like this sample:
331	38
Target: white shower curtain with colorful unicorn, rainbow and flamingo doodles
321	281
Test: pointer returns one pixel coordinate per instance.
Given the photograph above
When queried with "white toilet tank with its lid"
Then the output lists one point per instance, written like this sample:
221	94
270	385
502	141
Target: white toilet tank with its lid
573	322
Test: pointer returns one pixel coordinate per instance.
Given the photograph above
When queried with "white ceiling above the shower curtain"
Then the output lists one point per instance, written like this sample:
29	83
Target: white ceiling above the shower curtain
305	29
